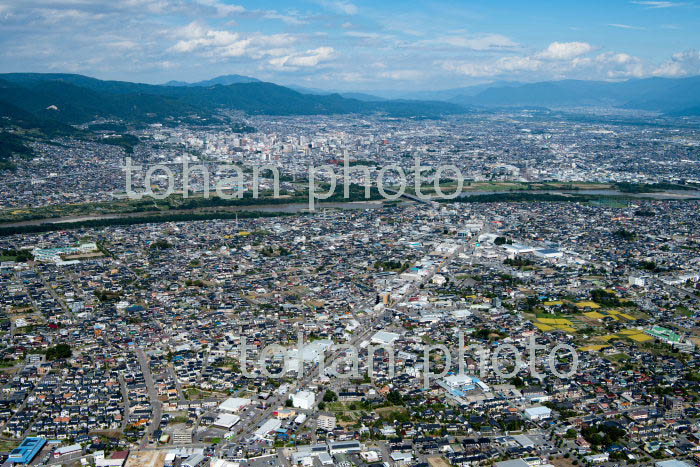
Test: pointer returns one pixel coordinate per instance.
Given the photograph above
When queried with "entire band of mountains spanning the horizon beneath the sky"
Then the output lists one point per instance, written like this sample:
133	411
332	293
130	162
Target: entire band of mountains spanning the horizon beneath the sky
73	99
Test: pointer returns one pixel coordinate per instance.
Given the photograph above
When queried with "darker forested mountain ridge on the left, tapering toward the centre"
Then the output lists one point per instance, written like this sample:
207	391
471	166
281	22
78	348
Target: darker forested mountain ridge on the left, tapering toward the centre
73	99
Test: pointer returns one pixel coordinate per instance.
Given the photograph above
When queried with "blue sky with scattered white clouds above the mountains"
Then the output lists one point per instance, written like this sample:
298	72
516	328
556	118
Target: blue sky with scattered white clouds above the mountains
352	45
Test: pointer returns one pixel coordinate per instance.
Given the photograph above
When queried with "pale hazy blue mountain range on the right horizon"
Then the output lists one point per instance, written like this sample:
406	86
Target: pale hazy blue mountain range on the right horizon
665	95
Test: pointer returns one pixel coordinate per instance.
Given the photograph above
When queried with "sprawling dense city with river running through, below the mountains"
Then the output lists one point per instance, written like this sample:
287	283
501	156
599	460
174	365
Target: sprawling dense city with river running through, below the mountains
547	315
